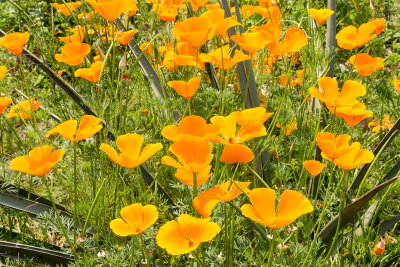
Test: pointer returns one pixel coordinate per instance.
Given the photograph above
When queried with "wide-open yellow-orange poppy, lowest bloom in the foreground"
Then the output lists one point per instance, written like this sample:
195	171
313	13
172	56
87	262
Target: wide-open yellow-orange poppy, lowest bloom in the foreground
186	234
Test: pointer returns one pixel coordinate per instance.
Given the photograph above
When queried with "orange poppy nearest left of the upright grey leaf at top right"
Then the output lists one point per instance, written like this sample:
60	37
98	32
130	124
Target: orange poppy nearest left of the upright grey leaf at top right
294	40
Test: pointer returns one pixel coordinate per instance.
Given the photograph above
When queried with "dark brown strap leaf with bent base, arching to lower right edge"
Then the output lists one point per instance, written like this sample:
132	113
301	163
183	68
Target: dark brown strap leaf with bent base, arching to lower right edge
326	235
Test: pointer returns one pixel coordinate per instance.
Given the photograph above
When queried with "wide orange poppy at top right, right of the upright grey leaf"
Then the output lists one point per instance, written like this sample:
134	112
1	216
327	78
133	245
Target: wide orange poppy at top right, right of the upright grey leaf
351	37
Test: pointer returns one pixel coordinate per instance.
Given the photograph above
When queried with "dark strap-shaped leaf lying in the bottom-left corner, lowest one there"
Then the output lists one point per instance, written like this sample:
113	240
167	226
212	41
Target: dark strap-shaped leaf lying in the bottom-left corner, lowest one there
21	251
